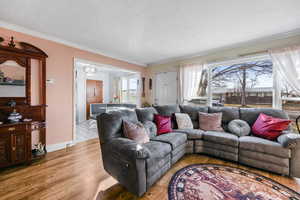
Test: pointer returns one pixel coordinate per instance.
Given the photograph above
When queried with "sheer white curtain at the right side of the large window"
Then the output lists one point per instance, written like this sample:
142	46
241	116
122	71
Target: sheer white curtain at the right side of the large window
286	66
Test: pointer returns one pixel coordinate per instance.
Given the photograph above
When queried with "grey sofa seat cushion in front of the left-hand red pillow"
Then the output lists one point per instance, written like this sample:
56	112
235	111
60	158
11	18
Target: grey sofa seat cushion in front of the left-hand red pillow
173	138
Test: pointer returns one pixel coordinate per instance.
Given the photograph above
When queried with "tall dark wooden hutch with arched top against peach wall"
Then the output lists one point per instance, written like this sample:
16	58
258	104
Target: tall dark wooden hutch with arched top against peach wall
25	94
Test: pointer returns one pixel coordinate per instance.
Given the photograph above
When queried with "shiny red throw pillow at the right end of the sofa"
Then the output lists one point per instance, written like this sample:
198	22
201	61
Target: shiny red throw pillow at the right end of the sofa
269	127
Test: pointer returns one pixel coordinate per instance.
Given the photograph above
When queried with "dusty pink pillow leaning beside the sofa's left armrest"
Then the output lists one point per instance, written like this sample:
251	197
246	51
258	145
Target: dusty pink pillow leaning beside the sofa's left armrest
136	132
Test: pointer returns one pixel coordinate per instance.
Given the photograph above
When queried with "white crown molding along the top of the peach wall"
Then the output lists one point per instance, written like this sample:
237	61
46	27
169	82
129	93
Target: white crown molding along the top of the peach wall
31	32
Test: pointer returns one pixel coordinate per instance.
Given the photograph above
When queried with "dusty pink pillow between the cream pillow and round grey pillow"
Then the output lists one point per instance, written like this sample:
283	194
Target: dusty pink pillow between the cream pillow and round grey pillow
210	121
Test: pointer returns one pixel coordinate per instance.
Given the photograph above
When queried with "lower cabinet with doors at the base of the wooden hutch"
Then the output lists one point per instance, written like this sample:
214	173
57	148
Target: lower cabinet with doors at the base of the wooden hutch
15	144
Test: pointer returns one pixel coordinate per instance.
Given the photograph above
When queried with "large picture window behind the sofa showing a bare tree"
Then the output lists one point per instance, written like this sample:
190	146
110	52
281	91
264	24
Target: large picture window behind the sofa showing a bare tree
250	83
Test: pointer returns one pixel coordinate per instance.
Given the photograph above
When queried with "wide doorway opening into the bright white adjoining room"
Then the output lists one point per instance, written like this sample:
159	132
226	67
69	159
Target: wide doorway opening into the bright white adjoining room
100	88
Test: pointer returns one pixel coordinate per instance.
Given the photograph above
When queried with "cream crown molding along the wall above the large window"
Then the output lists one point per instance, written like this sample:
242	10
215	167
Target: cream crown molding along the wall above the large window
269	38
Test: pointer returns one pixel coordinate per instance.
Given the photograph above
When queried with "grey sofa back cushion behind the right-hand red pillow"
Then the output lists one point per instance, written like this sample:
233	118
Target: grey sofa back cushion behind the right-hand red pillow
250	115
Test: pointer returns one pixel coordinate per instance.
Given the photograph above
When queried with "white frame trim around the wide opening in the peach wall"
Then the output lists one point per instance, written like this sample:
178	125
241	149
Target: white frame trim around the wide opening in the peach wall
74	100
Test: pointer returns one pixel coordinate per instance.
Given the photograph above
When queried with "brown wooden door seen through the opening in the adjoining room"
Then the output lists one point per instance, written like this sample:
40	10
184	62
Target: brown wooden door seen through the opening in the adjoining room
94	94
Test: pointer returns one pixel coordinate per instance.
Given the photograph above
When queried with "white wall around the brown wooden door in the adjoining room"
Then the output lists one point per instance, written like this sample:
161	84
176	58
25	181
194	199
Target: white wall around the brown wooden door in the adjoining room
81	91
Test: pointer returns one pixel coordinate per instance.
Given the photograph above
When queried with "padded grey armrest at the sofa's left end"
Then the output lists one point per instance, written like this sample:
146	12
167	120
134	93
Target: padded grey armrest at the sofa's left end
128	149
